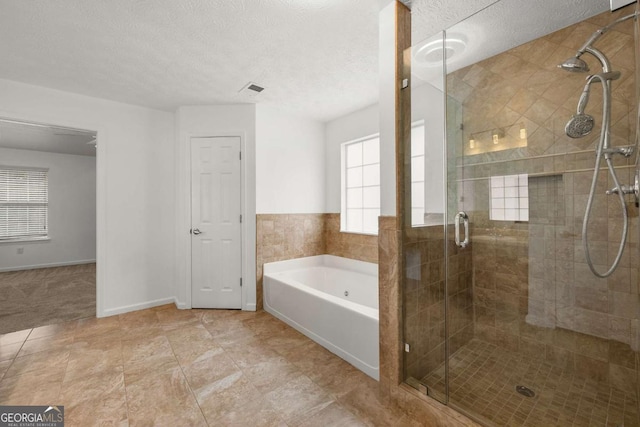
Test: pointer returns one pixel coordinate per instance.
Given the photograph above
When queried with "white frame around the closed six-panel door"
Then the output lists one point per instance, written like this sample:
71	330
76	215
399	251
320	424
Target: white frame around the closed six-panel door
183	238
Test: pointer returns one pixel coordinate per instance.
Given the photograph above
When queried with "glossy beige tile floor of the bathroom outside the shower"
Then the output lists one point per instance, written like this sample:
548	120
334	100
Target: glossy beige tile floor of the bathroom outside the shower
169	367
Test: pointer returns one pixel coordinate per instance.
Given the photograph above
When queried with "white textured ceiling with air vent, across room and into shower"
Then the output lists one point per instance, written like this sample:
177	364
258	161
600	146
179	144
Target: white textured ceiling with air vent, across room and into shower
318	58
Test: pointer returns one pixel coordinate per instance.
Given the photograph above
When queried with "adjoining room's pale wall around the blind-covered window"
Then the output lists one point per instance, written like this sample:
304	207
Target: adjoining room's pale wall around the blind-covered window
72	212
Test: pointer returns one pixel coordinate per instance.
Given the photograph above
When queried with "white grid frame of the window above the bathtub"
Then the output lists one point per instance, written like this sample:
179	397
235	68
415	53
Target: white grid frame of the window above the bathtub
344	218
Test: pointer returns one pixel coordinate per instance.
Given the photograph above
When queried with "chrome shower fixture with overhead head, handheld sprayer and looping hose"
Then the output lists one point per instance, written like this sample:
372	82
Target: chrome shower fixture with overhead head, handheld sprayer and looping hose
581	124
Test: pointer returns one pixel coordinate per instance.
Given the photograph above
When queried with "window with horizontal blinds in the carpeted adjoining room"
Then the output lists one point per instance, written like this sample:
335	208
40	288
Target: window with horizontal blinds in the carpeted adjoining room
23	203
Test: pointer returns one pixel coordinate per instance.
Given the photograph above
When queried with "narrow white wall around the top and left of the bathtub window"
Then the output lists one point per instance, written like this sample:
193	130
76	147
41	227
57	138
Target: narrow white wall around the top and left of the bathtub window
356	125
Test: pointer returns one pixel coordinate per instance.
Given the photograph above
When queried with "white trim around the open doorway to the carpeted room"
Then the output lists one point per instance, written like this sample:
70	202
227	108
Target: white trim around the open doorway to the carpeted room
101	189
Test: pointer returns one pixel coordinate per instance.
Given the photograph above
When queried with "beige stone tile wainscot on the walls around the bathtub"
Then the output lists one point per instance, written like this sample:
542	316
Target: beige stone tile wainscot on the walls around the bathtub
287	236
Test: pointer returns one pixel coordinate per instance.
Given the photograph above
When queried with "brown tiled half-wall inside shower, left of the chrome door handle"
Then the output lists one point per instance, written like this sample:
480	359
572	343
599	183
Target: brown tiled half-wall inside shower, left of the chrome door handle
424	298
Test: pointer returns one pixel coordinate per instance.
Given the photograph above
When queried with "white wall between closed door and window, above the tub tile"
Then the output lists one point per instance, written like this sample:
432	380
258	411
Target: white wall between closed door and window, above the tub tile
290	163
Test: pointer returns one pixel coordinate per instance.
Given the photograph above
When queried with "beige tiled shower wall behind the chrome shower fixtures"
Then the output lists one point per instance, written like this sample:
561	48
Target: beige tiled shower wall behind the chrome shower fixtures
533	291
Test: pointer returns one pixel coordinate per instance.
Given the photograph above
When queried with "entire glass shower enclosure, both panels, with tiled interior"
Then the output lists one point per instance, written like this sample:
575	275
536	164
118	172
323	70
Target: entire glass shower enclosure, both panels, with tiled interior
504	319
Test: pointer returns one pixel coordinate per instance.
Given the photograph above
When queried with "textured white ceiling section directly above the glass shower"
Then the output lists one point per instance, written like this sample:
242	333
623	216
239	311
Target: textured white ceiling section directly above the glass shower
489	27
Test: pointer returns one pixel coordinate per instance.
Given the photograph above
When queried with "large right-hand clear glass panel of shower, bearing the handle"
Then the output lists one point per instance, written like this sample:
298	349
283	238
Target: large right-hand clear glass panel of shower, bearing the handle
533	336
